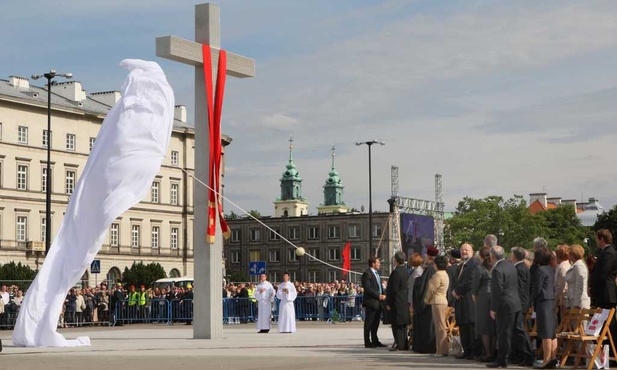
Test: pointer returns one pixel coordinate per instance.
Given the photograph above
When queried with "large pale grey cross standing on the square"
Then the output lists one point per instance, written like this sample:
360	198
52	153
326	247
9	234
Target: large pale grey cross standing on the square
208	269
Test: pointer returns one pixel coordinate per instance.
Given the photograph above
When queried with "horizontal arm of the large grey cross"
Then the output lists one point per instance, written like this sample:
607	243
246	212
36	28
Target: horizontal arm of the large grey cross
189	52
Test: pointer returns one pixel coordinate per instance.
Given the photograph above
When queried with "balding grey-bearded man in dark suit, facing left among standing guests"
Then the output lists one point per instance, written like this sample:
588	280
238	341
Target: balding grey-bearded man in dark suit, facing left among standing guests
464	306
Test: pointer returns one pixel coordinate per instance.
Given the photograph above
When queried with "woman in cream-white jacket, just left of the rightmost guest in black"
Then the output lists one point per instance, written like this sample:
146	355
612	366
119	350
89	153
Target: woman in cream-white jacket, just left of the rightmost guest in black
577	279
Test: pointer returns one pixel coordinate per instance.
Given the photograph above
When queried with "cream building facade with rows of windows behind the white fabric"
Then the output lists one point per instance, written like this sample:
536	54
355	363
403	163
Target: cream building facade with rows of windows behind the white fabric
158	229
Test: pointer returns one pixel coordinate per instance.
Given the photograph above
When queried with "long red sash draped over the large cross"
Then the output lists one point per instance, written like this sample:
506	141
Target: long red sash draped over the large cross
215	108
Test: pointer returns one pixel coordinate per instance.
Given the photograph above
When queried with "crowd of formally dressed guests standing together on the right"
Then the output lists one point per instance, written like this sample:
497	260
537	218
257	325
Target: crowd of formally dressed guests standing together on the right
490	294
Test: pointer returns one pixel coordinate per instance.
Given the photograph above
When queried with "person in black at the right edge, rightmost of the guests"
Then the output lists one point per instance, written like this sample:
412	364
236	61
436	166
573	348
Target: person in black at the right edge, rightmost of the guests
602	284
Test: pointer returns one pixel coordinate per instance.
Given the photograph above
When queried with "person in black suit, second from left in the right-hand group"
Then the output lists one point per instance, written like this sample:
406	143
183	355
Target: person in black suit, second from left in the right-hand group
396	302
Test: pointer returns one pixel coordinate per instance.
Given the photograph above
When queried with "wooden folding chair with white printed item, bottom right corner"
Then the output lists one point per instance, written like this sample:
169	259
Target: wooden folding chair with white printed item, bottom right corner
580	342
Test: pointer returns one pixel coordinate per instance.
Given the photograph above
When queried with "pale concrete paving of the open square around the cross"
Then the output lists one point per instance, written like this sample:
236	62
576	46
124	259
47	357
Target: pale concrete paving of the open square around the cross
314	346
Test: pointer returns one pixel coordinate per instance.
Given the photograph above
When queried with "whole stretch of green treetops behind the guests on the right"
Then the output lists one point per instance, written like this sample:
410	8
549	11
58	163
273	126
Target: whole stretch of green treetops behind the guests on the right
512	223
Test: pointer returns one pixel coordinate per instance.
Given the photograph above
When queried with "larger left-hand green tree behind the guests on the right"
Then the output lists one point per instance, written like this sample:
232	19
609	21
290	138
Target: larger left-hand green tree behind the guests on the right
509	220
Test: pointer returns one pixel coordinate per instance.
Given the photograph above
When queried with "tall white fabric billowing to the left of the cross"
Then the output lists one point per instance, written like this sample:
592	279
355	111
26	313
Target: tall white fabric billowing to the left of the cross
125	158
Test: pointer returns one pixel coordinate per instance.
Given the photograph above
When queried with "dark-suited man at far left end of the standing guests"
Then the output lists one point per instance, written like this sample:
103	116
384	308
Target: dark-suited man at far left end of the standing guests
371	301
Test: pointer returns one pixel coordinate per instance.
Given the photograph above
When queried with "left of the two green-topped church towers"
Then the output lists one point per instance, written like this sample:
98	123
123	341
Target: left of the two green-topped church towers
291	203
